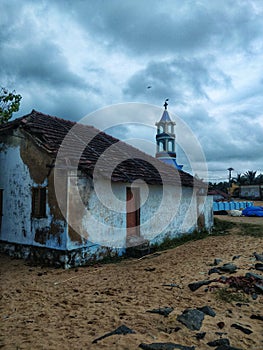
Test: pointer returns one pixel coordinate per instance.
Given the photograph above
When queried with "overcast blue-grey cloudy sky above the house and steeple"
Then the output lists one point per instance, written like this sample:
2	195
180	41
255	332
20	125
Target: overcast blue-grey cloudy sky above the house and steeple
70	58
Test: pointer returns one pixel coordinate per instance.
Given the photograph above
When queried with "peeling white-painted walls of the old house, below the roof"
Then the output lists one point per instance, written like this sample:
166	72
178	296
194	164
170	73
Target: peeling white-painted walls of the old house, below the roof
96	229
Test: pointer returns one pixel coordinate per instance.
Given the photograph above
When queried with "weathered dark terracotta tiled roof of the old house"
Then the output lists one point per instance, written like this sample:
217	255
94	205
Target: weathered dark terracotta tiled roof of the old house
88	145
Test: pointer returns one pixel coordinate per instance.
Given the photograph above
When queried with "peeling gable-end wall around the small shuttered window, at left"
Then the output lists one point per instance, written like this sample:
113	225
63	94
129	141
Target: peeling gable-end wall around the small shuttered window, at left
18	166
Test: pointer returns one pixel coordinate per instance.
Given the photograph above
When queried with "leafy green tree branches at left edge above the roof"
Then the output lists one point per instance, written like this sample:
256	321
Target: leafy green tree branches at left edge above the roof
9	104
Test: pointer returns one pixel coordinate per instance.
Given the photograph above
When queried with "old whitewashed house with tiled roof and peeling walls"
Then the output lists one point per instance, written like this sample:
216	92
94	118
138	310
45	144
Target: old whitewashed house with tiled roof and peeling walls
70	194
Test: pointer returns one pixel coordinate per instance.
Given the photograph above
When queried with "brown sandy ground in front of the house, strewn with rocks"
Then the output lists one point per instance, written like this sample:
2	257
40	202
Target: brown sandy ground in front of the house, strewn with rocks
44	308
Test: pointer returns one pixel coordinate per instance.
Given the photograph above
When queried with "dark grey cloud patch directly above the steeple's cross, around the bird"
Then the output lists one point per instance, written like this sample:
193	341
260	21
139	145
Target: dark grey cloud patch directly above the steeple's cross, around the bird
181	79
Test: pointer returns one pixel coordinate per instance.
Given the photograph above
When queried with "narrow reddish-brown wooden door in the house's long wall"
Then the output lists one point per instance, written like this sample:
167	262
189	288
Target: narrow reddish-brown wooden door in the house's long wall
133	211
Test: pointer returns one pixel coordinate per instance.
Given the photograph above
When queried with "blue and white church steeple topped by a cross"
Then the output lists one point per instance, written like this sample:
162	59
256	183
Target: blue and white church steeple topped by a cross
165	139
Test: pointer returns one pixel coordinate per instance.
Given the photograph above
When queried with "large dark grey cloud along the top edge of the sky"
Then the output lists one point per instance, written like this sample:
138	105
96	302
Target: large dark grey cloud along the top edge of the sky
159	27
